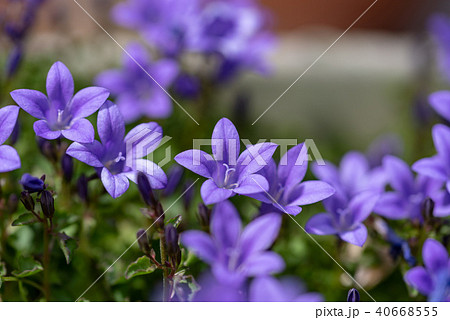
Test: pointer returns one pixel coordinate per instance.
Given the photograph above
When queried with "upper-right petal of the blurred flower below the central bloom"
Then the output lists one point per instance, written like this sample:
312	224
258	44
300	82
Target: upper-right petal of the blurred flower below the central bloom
260	234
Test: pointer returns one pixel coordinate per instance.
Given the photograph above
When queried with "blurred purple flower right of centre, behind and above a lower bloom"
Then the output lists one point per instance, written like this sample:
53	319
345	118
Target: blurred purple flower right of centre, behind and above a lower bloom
353	176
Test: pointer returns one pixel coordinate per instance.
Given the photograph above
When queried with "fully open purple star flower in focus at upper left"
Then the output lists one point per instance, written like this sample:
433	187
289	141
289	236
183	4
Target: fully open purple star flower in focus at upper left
62	113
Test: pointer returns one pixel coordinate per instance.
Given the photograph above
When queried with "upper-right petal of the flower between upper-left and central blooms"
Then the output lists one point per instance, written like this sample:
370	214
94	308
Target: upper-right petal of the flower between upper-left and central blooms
143	139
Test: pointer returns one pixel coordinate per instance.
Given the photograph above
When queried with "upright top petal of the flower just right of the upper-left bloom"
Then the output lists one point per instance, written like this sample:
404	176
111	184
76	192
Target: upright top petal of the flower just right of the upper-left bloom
110	124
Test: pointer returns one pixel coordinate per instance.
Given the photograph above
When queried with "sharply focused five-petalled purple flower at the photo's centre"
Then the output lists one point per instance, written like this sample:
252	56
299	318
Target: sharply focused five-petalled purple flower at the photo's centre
228	172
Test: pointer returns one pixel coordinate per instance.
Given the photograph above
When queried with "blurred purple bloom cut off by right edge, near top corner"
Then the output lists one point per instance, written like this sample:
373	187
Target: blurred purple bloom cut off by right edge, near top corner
440	29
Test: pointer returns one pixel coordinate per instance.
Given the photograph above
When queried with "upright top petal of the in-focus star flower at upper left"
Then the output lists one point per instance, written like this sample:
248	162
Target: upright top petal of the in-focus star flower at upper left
59	85
